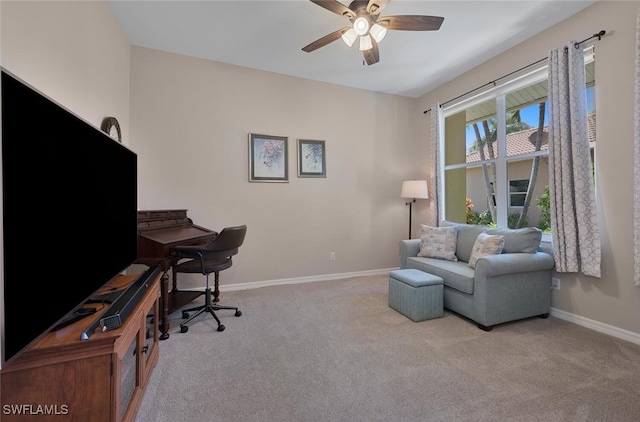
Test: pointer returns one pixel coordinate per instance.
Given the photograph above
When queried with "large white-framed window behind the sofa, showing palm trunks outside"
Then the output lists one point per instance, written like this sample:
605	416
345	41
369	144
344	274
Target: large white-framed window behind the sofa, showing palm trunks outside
495	153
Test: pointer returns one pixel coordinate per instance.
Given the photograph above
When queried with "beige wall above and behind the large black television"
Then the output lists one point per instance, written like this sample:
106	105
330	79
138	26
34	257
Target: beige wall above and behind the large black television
73	52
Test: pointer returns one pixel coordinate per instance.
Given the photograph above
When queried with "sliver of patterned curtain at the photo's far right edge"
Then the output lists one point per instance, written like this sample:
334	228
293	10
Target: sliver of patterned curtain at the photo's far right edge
636	163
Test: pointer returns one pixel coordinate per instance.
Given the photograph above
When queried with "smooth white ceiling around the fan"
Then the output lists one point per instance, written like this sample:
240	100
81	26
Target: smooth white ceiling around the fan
269	35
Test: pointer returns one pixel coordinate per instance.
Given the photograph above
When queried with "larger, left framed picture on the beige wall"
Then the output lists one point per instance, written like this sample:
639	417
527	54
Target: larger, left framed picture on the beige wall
268	158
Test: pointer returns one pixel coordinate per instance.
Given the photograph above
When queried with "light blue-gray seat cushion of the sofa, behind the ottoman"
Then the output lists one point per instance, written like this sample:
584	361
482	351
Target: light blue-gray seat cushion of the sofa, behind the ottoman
456	275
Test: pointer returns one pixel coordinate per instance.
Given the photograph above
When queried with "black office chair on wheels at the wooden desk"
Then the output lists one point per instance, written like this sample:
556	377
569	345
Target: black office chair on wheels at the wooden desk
206	259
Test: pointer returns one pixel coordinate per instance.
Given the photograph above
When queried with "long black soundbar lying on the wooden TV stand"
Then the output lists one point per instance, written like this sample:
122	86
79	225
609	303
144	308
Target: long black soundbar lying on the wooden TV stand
122	306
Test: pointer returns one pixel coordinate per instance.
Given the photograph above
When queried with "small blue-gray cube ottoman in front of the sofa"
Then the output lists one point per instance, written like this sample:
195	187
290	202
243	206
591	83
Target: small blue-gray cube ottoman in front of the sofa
416	294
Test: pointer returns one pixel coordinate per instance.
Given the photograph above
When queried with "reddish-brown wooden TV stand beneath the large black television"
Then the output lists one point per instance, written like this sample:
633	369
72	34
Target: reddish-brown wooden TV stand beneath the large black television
64	378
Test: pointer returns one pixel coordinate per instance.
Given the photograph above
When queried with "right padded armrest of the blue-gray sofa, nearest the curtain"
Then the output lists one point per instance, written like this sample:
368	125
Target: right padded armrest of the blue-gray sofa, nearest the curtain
512	263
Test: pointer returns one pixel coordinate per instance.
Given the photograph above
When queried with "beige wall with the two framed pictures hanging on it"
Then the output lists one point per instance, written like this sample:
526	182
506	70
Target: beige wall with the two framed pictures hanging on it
190	124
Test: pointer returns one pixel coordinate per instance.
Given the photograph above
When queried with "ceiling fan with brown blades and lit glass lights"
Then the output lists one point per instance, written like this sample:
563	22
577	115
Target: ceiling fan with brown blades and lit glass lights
368	26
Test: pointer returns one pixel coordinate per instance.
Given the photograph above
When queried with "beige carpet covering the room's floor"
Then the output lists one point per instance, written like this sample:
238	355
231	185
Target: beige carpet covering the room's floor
335	351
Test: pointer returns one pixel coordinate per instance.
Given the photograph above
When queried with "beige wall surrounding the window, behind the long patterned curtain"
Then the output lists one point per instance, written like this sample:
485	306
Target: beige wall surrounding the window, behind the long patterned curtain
611	300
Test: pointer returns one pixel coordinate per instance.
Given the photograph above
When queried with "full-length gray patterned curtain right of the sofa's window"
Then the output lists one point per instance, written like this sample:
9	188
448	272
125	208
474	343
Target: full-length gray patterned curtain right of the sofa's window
576	238
